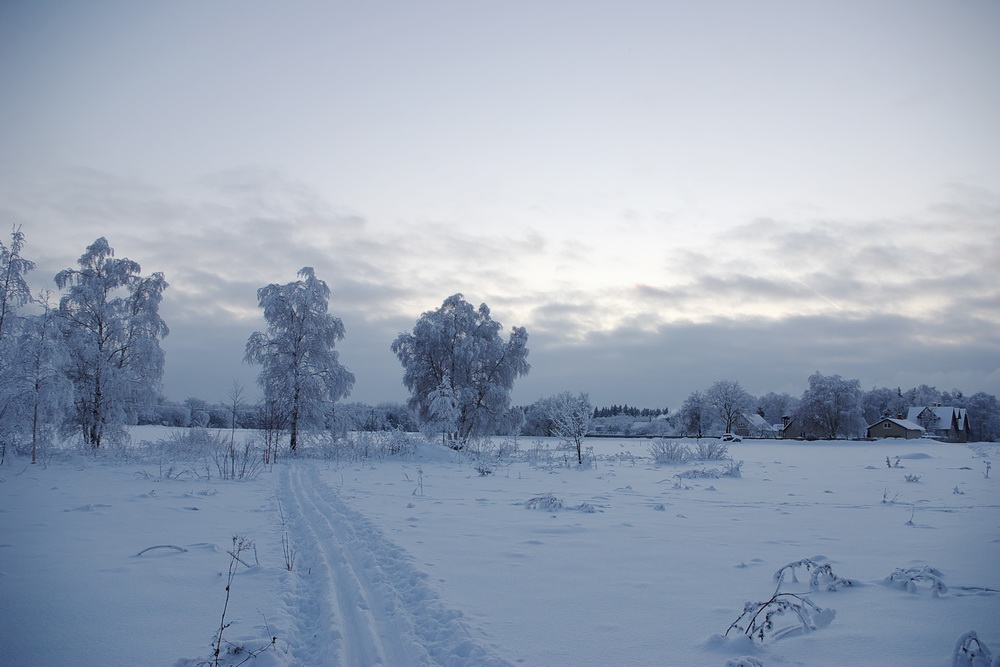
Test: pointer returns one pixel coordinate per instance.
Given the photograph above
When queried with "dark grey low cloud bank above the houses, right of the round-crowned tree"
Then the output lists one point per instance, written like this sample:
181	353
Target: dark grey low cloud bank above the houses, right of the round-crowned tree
661	367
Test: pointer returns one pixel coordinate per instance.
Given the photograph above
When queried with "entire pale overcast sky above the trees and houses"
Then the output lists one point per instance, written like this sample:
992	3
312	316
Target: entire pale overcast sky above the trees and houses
665	194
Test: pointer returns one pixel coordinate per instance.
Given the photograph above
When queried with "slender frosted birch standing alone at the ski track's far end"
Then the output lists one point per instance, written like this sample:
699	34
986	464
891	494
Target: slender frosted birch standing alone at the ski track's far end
301	374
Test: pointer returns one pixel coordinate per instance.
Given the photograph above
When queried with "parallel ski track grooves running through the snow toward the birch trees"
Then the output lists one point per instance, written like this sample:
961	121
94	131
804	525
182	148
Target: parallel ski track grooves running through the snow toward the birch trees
356	598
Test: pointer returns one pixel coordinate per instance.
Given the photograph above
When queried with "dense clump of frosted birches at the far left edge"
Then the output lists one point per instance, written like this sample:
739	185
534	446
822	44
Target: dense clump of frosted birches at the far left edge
86	365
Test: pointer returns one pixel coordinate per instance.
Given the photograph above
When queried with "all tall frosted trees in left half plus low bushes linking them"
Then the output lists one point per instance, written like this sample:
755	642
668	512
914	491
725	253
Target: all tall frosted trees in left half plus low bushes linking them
93	364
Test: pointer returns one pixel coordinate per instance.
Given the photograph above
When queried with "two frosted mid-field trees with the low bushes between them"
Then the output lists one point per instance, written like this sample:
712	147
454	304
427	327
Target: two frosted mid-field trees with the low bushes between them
458	368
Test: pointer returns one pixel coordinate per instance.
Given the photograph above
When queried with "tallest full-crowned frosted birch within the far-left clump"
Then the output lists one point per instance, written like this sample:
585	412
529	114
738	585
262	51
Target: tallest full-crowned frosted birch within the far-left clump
112	328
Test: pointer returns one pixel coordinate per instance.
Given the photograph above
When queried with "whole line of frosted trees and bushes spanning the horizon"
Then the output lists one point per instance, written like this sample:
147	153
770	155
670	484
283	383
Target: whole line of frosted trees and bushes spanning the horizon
92	363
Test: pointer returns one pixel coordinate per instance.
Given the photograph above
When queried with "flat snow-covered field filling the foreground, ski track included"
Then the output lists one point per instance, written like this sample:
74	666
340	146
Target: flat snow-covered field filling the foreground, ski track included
422	561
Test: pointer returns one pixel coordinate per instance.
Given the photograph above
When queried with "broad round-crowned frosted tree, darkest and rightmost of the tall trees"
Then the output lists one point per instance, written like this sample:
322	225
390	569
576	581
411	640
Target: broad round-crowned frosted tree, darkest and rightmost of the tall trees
457	351
